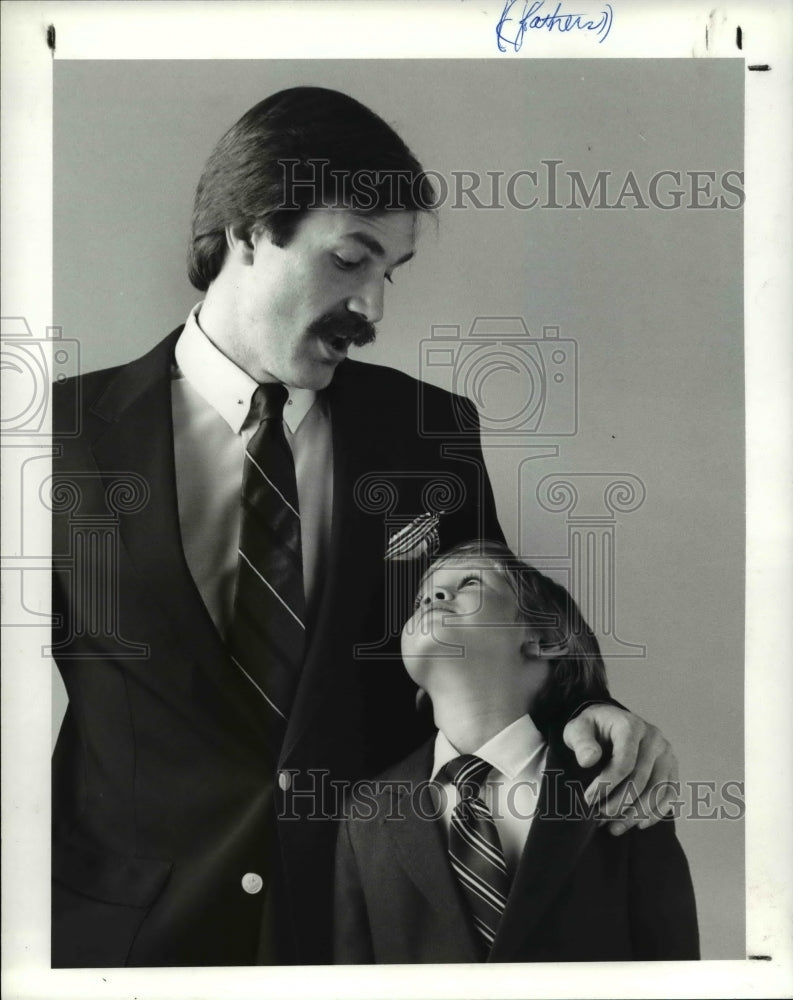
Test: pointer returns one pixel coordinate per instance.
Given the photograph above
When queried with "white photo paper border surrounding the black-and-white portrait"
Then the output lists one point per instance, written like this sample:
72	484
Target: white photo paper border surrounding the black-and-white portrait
447	29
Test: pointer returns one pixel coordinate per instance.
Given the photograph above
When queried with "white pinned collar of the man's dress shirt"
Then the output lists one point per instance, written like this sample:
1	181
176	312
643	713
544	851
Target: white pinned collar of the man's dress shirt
225	386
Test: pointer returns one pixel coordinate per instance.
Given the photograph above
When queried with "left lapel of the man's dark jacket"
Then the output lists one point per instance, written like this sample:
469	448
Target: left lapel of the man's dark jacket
139	440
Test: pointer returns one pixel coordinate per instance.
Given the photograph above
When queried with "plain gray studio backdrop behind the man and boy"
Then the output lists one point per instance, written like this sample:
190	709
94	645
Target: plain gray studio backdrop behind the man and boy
614	441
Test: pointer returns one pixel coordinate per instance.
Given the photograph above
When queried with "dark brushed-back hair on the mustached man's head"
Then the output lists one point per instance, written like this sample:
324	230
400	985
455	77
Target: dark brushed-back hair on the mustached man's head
306	147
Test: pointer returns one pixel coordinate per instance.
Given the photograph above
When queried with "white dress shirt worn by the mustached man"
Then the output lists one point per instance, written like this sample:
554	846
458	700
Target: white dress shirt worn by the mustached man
211	399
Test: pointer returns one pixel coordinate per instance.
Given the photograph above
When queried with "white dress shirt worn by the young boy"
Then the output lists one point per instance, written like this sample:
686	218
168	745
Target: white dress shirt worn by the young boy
511	790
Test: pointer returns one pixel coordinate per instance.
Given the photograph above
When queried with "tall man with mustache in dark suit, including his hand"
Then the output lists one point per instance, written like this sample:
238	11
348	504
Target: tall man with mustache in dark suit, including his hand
191	825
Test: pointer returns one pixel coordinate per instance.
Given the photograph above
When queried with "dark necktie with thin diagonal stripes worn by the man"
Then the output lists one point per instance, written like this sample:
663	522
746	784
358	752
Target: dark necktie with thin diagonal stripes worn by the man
267	634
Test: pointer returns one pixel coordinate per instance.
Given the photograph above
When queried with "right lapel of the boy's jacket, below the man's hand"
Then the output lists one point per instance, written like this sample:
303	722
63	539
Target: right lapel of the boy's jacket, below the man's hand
559	834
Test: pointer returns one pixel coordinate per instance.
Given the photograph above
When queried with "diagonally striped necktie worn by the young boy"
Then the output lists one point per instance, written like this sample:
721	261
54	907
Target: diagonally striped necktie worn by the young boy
474	848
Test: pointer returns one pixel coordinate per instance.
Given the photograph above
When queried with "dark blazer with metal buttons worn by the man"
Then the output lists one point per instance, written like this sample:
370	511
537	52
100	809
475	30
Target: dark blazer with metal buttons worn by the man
164	791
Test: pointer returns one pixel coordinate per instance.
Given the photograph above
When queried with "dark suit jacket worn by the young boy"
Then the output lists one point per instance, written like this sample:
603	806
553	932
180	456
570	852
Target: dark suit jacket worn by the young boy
579	894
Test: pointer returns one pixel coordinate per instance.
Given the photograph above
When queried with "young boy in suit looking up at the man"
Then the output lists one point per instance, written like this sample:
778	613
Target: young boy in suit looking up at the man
497	858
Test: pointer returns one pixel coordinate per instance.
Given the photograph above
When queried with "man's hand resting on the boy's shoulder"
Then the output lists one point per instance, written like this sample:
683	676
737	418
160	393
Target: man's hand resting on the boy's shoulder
640	780
